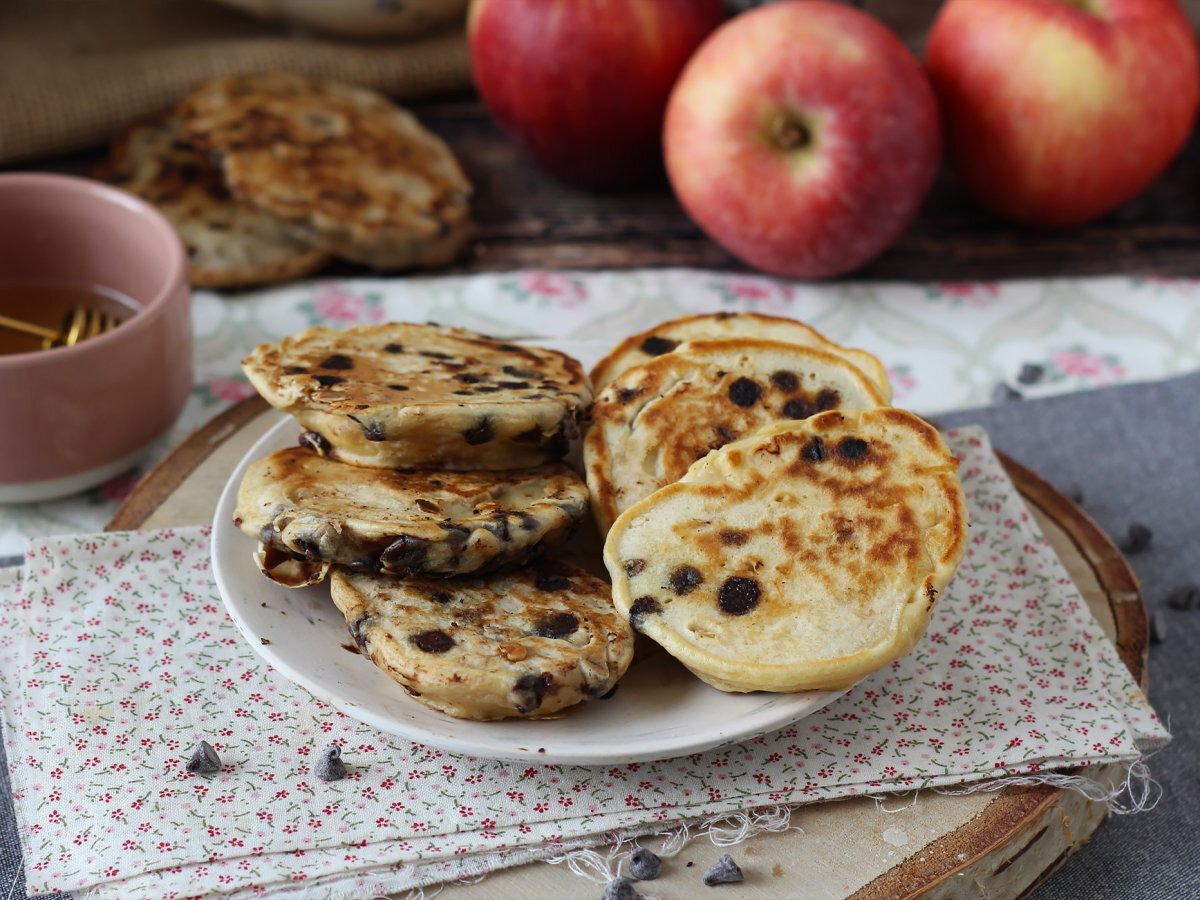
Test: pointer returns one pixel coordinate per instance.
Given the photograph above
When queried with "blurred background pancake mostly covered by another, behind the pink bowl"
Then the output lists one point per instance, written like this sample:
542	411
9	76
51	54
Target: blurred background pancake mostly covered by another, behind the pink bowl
230	243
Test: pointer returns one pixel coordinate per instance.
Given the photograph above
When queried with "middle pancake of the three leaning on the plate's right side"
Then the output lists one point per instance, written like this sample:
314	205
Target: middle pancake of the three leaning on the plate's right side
651	424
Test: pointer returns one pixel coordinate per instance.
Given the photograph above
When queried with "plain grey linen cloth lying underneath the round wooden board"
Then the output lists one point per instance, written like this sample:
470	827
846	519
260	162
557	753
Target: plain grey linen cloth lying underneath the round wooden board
1132	453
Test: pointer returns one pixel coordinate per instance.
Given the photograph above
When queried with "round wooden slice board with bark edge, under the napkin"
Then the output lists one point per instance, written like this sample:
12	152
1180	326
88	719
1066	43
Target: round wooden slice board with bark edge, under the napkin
994	845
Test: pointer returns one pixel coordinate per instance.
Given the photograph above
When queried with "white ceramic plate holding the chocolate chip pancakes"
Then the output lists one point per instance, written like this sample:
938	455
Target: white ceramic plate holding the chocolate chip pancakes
659	711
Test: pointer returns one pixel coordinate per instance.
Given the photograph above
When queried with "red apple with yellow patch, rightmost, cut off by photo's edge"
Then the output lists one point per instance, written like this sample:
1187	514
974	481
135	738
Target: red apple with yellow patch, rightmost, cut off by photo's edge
1058	112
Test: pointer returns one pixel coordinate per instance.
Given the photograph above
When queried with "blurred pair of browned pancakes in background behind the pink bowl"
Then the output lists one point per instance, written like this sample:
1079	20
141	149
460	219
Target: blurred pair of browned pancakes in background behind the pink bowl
268	176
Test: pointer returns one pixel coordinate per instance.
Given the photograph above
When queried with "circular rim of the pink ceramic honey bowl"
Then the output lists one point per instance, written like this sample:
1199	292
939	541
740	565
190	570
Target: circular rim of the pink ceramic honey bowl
177	265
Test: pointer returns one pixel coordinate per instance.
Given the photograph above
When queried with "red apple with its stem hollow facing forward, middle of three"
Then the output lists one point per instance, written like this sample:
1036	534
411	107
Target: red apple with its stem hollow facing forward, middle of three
802	137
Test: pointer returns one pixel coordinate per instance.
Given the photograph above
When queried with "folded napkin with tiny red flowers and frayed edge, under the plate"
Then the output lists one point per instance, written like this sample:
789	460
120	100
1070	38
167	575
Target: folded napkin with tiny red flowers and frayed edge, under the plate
117	657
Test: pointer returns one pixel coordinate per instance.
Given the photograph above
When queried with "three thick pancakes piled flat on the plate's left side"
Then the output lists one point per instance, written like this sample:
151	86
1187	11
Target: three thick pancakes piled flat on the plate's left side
425	487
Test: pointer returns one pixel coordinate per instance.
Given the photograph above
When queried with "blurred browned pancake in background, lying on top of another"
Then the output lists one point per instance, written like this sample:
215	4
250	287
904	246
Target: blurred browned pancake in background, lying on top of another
349	170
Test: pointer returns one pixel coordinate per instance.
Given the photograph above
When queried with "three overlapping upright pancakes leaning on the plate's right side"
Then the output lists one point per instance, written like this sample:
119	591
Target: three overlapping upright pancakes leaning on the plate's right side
771	521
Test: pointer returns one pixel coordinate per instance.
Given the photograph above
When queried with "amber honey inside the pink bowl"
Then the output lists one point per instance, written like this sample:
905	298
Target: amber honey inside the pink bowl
51	307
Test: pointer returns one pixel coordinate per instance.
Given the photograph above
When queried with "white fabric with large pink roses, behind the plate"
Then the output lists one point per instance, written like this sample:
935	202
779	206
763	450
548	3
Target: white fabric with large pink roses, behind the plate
946	345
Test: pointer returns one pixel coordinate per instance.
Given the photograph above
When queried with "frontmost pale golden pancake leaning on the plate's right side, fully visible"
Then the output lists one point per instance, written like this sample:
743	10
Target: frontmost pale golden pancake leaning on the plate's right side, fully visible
801	559
